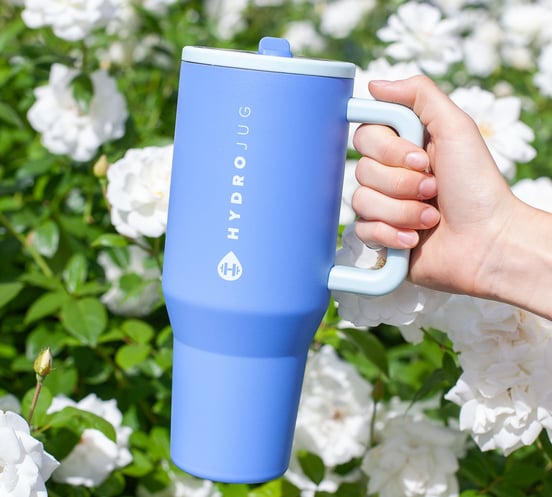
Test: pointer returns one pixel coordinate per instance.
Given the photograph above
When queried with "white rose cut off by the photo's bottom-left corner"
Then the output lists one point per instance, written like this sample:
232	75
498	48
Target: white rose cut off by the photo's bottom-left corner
24	465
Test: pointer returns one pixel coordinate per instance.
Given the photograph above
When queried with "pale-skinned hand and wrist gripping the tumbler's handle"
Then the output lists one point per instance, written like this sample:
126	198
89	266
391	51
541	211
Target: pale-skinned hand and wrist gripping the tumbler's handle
468	233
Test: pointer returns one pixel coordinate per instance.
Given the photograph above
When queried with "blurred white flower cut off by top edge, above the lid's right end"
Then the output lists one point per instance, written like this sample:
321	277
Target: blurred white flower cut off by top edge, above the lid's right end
340	17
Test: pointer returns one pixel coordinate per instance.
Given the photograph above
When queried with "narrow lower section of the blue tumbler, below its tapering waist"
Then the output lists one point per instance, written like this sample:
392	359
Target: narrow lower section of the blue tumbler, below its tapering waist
233	417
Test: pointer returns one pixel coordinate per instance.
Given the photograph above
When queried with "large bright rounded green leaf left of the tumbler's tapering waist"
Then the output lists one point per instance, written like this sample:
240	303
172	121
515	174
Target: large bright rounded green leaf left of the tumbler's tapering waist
85	319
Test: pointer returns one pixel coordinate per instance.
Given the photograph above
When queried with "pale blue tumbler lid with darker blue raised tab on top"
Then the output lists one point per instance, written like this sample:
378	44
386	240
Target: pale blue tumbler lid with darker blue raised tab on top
274	55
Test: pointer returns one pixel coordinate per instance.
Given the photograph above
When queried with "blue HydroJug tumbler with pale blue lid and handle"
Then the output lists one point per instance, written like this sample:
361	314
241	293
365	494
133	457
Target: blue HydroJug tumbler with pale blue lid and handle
259	153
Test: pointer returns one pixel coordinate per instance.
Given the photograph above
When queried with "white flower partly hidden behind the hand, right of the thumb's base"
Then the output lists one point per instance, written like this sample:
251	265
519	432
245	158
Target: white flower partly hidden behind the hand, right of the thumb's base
498	121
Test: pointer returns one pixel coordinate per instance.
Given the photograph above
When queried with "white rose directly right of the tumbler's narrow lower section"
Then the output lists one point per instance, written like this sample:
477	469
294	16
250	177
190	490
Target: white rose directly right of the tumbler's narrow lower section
335	410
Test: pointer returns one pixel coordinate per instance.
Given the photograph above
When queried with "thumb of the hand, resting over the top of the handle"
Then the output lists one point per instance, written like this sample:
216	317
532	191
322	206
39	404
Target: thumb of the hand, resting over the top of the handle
437	112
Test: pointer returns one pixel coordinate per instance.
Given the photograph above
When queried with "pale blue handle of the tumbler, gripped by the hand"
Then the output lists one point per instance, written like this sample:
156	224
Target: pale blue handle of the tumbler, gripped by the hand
381	281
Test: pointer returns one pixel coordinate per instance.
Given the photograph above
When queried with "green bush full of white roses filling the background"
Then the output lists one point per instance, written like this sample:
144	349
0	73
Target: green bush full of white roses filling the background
415	394
